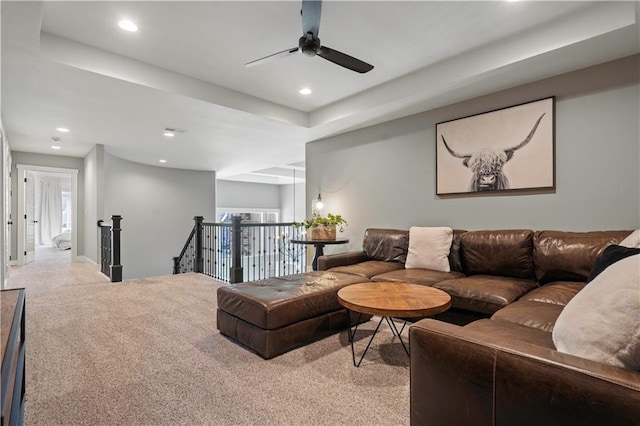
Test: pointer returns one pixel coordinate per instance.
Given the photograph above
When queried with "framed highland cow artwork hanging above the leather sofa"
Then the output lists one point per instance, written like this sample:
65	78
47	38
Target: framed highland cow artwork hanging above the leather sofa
503	150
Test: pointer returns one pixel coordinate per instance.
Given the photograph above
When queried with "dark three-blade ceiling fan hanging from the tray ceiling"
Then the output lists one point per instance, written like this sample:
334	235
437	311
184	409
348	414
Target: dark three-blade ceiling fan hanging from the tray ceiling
309	43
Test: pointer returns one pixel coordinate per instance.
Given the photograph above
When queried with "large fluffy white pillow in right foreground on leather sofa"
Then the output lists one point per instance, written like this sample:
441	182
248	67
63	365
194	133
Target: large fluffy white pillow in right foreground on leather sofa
602	321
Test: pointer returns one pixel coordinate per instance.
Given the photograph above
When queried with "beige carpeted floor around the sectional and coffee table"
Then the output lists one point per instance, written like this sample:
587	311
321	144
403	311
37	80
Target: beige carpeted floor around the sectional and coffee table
147	352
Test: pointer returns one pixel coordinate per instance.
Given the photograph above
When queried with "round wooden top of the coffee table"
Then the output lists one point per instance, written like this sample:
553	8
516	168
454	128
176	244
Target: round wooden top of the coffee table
391	299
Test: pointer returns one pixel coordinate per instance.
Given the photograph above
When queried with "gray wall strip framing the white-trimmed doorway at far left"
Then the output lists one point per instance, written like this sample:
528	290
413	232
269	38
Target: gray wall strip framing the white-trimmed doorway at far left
58	161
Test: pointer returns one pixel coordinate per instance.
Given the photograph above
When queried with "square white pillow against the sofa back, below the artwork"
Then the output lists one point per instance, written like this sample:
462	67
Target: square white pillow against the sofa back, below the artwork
429	248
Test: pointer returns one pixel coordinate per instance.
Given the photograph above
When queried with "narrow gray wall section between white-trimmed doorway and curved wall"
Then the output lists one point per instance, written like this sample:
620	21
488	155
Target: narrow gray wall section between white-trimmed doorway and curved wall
93	199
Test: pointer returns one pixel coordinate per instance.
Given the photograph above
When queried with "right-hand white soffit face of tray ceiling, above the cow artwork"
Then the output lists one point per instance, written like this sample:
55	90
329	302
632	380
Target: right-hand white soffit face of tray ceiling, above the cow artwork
441	82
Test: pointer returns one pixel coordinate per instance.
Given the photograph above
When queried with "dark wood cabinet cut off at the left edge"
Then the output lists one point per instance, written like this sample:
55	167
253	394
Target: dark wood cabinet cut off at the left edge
12	322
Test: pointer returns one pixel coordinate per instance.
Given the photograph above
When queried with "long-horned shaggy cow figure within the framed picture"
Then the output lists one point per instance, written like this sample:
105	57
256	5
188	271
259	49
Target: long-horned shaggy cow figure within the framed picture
487	163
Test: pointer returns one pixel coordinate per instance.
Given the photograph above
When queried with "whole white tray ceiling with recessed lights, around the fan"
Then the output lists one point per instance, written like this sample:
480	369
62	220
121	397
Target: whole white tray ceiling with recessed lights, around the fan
68	64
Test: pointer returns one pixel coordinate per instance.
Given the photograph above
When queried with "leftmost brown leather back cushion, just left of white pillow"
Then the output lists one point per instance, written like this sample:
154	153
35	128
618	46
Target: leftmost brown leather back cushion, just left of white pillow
386	245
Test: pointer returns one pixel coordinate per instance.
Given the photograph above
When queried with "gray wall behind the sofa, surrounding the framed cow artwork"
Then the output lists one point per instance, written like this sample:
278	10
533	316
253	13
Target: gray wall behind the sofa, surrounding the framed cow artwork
384	175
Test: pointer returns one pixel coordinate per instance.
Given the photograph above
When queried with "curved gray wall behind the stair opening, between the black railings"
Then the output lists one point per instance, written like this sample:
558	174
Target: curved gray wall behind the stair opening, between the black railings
157	205
